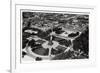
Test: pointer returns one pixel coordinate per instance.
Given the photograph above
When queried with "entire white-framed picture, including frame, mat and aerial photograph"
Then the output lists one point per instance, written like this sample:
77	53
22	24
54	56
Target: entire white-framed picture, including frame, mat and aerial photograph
52	37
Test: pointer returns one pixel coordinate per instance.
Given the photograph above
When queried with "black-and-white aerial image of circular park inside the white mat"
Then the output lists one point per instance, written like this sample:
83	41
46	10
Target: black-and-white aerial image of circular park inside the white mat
54	36
